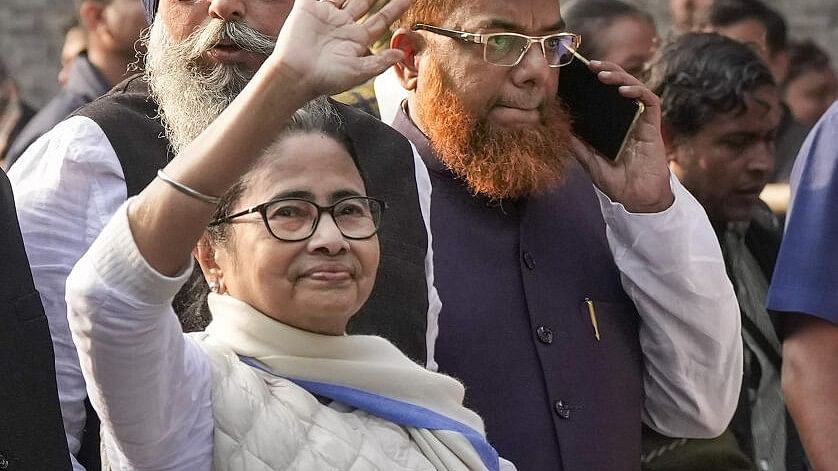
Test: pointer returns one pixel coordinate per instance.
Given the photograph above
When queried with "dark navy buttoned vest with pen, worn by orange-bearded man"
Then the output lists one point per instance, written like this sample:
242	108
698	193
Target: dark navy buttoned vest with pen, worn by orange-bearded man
514	277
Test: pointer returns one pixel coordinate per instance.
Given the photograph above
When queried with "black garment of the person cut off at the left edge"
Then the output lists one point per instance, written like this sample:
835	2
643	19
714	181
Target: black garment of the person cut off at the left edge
31	431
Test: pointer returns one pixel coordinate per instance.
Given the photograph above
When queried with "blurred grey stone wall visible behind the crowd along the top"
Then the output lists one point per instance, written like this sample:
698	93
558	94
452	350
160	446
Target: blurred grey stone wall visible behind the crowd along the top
31	32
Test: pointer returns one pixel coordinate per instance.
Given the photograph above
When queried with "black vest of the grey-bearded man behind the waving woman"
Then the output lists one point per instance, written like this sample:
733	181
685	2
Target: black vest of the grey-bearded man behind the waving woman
398	306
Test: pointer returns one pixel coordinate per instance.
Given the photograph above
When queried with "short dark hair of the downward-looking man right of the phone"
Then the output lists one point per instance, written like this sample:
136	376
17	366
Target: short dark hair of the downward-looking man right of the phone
701	75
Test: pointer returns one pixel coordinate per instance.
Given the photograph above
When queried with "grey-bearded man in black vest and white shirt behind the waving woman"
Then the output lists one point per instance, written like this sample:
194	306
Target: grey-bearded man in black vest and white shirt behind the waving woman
200	56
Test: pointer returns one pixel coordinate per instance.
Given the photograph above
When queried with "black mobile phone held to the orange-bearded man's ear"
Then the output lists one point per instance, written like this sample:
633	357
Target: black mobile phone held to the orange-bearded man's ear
600	115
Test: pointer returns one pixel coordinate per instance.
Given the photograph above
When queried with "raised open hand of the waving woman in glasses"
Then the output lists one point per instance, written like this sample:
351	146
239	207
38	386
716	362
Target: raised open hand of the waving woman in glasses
325	50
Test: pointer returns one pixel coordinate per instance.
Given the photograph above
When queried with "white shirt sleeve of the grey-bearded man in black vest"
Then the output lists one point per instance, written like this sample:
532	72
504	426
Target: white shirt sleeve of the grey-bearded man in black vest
67	185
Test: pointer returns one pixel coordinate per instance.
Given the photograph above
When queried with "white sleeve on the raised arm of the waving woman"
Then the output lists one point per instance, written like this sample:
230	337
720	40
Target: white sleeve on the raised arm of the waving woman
149	383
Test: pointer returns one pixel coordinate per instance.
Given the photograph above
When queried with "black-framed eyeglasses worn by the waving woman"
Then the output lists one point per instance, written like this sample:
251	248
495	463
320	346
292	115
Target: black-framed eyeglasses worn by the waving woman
296	219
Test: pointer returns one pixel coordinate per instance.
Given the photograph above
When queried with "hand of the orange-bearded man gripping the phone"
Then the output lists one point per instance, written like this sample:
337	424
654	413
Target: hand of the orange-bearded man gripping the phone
639	179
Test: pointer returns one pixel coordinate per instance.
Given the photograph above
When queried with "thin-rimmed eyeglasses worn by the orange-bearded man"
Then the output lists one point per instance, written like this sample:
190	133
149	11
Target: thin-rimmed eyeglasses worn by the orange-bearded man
507	49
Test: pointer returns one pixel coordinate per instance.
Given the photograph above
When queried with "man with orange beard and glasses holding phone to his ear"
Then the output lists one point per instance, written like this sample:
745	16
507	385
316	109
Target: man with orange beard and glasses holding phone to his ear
579	296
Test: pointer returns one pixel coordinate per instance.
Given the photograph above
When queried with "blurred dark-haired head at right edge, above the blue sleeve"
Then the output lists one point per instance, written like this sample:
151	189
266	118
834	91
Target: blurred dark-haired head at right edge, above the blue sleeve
810	86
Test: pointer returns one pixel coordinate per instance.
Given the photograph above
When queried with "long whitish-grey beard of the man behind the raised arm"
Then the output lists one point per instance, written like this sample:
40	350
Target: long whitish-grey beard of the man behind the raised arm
189	94
